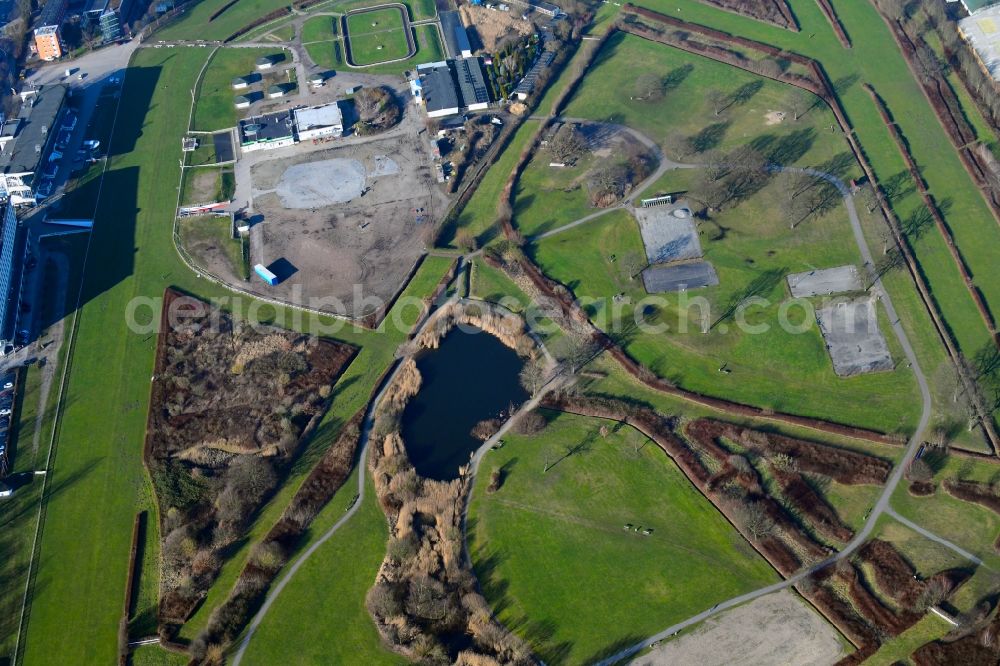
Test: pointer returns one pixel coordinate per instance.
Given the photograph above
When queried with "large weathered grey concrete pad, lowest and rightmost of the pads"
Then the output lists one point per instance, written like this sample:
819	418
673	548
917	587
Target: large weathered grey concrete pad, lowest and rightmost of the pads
853	338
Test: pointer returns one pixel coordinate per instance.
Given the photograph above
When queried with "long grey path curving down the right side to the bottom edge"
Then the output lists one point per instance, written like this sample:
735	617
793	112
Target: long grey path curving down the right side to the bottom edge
882	505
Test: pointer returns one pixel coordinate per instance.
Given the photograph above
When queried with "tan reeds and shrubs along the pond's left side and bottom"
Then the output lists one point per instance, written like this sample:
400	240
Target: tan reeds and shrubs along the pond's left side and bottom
425	591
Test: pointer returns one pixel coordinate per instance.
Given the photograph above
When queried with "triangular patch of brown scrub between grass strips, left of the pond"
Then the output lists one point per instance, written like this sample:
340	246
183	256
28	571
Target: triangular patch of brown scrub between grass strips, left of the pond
229	405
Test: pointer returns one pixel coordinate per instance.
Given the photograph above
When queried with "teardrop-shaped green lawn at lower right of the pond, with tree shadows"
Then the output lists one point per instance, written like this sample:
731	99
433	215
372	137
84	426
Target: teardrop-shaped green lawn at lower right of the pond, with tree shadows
558	568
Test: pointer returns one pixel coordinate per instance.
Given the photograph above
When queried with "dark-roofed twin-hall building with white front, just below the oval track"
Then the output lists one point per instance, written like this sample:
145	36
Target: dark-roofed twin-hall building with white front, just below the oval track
447	88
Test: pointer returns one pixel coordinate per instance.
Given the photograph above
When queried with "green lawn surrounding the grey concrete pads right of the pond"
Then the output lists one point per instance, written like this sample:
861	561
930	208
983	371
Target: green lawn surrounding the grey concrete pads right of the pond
783	369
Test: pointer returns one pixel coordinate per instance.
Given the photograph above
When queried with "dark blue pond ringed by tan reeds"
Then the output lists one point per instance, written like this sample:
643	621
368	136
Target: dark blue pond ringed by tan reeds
469	378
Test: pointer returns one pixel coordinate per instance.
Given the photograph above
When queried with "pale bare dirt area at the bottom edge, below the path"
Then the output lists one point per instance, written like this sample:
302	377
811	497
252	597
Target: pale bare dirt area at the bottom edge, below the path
777	629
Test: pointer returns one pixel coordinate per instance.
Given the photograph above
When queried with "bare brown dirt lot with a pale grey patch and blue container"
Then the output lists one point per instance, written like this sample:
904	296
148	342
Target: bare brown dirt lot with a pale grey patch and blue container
350	219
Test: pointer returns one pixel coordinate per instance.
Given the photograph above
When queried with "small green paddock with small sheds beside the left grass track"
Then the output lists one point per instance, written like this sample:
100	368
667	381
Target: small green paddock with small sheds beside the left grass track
214	108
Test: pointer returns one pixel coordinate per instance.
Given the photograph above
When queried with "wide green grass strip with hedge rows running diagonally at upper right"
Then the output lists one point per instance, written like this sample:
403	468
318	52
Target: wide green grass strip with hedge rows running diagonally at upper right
875	59
